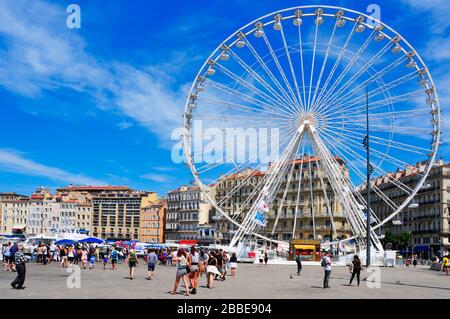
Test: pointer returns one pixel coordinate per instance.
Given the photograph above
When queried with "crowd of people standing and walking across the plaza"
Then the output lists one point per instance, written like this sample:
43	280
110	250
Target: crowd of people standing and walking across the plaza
191	263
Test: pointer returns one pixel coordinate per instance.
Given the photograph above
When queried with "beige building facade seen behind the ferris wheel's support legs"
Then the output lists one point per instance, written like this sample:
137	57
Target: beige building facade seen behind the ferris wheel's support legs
300	201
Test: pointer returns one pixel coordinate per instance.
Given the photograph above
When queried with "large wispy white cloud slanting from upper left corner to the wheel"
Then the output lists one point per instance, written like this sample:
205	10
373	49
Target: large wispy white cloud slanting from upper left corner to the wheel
40	53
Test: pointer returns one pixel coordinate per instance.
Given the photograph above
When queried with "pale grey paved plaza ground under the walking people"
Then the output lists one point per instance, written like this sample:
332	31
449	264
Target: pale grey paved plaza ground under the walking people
252	281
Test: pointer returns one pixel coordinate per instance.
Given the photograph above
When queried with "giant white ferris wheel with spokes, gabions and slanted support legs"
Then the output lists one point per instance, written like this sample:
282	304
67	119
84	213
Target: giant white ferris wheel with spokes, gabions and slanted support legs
309	75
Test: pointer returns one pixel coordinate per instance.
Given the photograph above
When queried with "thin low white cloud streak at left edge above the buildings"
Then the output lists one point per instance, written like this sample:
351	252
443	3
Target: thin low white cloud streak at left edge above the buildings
14	161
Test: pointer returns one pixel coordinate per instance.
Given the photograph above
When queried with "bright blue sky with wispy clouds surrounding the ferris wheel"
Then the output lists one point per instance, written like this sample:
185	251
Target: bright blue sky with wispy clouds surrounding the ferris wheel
97	105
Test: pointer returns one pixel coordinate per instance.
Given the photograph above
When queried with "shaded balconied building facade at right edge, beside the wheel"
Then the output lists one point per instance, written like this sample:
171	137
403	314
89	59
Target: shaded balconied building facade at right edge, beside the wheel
427	220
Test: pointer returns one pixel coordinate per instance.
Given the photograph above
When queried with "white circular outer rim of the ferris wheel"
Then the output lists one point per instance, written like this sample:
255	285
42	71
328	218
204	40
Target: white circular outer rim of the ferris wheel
436	126
